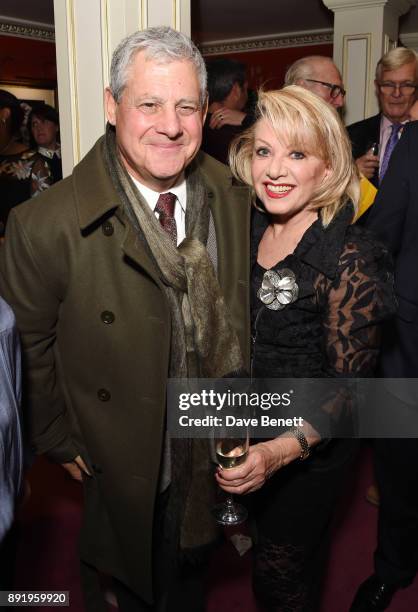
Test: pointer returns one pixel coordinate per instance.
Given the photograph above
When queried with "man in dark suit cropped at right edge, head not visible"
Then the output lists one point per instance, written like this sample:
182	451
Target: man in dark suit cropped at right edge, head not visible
394	218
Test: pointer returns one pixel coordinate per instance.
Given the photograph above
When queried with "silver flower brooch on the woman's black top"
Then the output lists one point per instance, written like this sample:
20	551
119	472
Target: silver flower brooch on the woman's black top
278	289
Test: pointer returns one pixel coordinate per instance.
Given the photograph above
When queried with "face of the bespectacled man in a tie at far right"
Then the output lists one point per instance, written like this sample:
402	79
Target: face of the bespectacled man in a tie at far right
395	103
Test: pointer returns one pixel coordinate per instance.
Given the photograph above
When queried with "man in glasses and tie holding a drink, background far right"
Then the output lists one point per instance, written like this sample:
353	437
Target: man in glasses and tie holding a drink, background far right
375	138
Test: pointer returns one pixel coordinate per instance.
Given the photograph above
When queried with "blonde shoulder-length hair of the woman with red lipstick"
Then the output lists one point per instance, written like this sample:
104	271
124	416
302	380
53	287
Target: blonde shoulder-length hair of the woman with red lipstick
302	120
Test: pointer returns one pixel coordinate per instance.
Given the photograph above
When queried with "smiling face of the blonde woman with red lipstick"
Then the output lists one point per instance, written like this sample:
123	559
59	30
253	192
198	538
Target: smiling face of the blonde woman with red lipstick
284	179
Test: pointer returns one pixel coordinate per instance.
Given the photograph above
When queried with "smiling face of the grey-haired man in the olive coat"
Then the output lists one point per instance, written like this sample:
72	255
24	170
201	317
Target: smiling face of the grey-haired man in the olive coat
158	120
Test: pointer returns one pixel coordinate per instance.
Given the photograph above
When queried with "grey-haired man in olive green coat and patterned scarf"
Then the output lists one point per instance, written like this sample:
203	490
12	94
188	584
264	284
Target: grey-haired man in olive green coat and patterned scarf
109	285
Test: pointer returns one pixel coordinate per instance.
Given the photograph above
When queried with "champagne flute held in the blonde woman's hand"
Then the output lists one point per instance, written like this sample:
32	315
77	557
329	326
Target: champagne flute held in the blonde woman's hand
230	452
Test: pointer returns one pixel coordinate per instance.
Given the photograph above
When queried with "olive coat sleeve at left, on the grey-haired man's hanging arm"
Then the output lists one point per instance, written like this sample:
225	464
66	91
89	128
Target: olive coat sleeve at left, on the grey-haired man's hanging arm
35	302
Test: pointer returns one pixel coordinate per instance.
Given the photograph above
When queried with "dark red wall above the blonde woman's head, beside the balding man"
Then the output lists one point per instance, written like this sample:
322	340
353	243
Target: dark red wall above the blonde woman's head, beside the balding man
268	67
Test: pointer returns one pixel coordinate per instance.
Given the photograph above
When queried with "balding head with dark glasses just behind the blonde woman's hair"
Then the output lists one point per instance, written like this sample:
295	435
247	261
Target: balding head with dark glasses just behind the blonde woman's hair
320	75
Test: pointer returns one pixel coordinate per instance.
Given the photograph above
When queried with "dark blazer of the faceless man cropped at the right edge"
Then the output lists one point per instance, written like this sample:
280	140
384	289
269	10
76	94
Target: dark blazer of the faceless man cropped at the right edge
394	218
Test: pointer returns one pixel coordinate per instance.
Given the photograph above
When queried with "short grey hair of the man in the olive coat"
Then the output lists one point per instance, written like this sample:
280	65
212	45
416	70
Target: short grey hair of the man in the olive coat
162	44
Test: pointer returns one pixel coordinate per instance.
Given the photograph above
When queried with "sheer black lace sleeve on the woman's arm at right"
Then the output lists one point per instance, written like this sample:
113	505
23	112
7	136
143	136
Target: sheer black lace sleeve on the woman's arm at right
356	302
